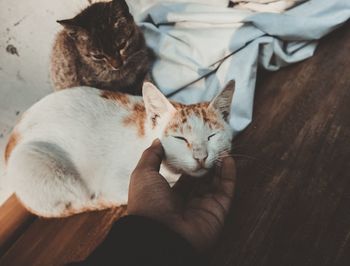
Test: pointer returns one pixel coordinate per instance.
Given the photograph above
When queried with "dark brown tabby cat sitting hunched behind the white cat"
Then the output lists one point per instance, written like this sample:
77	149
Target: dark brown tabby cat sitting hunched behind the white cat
101	47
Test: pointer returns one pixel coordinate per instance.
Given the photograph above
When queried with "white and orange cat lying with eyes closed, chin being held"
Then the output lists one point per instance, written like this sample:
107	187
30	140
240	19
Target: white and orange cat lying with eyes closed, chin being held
75	149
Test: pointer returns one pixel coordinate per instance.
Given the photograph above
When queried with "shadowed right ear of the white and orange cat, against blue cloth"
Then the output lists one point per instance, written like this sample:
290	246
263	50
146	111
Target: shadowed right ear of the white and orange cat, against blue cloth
222	102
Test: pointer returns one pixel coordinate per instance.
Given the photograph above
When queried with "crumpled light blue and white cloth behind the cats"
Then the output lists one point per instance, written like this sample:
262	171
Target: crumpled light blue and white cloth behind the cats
195	40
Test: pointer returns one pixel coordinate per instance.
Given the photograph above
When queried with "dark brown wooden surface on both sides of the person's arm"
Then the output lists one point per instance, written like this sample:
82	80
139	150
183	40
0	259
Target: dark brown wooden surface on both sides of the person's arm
292	205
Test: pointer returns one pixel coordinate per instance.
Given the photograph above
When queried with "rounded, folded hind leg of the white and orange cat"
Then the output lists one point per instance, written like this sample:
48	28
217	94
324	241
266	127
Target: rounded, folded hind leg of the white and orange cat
46	181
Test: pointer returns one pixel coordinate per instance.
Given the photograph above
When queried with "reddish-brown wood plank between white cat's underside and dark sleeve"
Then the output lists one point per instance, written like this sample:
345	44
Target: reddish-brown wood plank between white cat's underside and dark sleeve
59	241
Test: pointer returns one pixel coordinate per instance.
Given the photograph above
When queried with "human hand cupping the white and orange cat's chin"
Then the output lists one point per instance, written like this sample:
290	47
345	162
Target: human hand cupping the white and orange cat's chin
194	207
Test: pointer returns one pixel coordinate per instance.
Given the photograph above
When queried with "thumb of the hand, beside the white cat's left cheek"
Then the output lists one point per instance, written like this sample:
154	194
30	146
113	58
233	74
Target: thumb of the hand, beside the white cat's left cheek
151	158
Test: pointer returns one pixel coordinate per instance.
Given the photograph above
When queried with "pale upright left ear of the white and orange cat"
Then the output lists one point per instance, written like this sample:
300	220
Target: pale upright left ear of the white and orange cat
156	104
